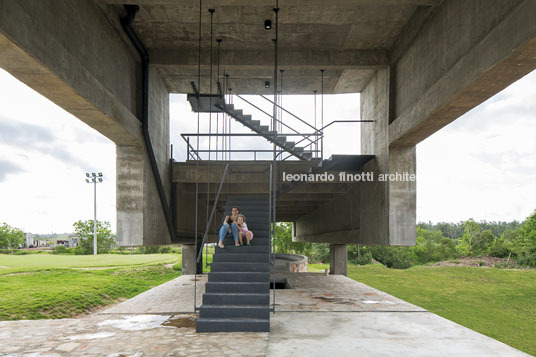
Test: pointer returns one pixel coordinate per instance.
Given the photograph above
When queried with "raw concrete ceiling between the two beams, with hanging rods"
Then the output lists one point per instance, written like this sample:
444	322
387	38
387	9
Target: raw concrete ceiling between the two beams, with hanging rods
349	39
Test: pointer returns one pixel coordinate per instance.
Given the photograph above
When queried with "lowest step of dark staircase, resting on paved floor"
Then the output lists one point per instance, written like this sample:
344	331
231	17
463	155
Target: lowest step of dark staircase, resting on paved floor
232	325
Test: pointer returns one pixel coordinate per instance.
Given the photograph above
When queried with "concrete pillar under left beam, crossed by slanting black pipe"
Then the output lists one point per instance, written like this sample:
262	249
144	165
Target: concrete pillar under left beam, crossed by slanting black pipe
140	218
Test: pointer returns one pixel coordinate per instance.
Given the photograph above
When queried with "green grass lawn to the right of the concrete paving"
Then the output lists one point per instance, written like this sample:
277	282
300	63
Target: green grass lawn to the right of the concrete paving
499	303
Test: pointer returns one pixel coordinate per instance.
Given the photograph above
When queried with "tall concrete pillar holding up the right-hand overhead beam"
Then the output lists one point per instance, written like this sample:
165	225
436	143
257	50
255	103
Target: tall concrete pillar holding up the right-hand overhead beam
388	208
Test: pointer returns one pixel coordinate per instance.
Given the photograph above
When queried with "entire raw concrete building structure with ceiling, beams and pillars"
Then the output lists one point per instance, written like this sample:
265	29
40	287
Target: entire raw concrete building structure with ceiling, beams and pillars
418	65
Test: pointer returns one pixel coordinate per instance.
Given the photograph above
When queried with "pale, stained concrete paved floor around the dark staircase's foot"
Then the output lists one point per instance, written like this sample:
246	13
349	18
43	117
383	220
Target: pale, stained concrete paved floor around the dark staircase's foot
322	315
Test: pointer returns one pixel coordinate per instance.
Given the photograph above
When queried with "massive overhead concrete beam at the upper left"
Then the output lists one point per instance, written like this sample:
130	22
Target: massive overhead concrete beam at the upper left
40	46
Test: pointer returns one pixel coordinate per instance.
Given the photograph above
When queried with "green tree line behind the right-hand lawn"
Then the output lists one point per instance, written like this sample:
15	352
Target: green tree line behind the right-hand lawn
515	241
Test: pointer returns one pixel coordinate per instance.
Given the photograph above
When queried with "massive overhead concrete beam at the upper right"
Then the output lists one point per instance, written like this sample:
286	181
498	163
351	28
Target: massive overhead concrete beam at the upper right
465	54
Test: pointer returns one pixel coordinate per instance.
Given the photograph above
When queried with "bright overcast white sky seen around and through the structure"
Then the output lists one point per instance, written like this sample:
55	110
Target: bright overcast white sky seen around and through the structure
482	166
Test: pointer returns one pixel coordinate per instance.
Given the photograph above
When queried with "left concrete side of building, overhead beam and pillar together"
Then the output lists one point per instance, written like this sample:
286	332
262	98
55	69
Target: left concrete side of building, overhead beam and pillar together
75	54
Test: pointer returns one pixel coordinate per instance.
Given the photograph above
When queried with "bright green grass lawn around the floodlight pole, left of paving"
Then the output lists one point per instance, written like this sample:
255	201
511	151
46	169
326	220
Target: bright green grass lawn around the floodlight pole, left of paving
51	286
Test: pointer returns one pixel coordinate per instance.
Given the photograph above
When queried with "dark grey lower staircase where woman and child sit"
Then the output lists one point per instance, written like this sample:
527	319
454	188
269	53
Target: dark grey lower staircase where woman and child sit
236	297
